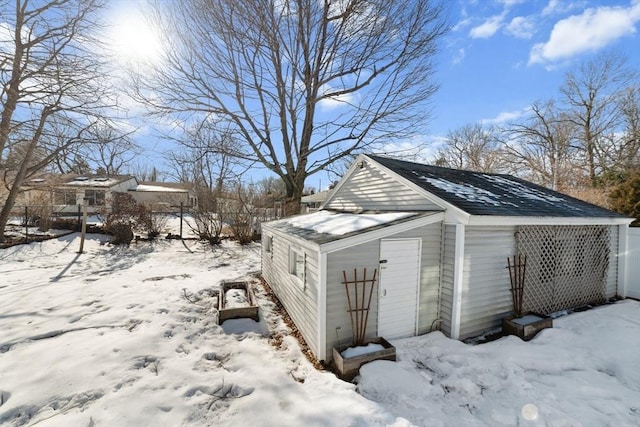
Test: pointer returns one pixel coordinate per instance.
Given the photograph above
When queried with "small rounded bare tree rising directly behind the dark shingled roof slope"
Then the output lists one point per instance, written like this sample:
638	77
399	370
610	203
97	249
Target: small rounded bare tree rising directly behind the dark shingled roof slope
473	147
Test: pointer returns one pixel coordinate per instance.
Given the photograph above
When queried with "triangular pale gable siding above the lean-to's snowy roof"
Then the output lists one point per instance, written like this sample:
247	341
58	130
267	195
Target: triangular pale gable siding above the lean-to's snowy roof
371	189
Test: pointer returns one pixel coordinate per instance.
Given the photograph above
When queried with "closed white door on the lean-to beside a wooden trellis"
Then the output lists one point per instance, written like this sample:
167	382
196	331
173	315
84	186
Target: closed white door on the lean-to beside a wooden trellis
398	290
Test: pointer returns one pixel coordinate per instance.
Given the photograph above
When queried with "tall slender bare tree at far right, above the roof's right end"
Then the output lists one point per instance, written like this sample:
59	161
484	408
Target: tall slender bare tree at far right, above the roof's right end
591	93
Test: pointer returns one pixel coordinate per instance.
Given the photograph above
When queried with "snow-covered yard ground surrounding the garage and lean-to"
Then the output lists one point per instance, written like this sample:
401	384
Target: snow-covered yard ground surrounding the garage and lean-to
128	337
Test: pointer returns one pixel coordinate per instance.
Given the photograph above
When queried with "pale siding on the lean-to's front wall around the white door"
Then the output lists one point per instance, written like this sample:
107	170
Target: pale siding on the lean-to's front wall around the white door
368	255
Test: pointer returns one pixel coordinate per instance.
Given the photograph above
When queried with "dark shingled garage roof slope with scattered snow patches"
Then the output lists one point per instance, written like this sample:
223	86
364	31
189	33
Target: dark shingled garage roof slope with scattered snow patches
493	194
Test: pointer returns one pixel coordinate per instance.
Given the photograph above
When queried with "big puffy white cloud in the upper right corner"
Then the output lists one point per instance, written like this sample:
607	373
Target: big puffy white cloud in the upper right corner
589	31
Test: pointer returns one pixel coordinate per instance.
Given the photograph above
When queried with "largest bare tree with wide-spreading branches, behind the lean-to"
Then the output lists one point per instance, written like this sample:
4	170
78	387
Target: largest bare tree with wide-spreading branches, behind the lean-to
303	83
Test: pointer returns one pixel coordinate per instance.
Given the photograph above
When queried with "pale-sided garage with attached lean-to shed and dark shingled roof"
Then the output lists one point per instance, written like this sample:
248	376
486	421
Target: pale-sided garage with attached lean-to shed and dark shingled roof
439	239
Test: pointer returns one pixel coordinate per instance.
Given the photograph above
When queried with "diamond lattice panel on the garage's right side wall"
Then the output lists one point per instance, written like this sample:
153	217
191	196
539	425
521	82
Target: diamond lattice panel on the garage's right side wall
566	266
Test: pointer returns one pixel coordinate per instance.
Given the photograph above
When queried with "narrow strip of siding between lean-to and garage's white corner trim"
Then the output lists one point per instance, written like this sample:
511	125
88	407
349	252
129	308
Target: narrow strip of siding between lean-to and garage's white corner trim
446	286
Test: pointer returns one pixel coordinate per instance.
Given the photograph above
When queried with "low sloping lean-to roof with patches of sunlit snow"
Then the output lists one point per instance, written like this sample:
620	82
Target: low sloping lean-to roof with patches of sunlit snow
326	226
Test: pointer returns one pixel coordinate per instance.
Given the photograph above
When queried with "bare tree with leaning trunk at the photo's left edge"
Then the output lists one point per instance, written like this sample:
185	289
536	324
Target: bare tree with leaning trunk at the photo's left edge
52	94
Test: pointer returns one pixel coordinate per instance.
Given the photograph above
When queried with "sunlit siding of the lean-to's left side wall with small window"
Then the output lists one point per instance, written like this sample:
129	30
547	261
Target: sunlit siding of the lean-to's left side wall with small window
298	298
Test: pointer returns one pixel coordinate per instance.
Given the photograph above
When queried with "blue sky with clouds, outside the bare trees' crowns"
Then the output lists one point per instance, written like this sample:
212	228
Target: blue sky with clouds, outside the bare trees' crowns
499	57
